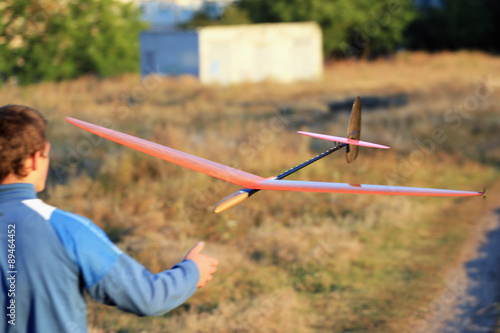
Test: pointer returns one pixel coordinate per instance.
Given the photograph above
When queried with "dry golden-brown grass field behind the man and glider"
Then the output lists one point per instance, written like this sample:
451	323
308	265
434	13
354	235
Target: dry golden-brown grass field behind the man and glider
290	262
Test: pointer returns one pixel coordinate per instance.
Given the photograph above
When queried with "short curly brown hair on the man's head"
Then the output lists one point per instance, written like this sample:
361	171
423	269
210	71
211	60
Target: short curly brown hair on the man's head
22	134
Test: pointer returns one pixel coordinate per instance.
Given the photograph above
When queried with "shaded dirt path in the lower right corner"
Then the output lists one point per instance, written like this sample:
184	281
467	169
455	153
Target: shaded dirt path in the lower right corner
470	301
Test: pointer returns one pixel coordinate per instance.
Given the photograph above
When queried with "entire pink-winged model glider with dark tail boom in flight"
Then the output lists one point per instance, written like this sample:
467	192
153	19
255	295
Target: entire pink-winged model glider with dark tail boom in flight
253	183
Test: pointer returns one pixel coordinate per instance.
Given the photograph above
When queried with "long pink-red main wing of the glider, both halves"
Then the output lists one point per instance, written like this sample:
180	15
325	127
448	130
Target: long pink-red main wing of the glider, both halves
249	180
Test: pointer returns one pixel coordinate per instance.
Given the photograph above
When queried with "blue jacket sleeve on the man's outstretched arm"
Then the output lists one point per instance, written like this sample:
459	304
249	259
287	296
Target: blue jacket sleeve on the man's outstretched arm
114	278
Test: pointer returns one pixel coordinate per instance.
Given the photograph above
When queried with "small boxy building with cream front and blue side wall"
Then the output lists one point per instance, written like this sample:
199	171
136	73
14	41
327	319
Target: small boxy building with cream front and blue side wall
283	52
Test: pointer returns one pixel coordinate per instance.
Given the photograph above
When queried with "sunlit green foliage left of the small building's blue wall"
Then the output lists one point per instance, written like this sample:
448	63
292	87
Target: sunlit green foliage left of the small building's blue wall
53	40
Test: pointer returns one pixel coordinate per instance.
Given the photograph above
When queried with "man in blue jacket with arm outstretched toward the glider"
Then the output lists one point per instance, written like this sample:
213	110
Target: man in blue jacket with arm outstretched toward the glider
49	257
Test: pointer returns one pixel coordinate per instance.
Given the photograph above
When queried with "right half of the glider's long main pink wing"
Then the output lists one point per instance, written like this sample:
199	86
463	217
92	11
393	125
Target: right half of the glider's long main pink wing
304	186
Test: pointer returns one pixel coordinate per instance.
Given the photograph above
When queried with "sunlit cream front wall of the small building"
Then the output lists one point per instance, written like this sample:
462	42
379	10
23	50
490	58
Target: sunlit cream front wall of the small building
283	52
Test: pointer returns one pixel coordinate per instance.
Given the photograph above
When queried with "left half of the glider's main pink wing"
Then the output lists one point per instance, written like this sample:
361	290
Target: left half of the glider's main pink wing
213	169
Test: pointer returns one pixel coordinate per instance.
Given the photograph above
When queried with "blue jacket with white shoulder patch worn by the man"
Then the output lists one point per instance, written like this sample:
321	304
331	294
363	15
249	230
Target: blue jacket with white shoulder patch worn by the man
49	257
